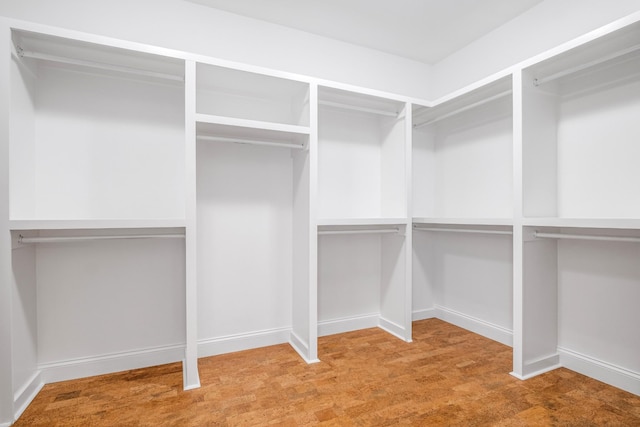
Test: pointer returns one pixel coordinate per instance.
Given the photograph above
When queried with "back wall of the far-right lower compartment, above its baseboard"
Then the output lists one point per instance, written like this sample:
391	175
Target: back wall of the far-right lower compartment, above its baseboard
597	294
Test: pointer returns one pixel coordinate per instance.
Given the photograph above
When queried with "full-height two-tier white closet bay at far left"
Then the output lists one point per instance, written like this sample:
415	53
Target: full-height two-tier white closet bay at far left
97	213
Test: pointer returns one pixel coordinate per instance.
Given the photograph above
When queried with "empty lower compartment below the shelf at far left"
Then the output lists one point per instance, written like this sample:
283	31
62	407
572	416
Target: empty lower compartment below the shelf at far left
94	301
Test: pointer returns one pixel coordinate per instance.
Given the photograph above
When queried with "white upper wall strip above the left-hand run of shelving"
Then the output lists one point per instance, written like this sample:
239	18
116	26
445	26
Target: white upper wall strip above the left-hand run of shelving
190	27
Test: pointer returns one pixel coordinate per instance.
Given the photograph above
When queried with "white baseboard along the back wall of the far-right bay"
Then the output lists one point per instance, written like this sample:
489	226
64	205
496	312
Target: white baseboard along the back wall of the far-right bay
600	370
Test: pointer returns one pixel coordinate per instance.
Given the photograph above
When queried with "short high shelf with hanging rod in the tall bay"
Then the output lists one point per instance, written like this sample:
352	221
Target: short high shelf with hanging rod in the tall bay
243	131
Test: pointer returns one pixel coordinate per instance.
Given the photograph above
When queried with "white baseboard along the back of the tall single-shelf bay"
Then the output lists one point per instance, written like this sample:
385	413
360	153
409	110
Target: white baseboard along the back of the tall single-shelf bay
239	342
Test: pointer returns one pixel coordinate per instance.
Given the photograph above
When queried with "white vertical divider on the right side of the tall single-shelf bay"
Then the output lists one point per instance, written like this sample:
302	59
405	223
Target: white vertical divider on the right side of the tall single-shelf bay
304	334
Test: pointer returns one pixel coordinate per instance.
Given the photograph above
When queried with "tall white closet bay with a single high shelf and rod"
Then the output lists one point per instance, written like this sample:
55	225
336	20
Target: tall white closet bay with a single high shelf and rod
253	208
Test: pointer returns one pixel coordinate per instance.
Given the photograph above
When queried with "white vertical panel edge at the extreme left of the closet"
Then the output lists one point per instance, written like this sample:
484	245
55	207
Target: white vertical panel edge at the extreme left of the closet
6	383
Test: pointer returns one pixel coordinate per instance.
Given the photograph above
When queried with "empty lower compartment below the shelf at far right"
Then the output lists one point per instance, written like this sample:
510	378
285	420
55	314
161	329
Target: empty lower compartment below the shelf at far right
581	288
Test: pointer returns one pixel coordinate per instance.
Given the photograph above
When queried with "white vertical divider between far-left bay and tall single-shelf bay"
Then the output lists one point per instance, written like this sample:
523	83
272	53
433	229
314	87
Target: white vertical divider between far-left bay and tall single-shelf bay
191	378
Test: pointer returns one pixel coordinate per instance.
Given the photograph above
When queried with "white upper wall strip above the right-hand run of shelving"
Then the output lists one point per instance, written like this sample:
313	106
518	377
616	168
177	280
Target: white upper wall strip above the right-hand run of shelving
541	28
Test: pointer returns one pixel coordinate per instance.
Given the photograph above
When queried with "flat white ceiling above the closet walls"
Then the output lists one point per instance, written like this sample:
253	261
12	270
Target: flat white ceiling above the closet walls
422	30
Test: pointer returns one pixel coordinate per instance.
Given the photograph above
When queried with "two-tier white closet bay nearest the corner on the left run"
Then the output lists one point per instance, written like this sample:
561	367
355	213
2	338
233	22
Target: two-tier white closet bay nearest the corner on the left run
364	242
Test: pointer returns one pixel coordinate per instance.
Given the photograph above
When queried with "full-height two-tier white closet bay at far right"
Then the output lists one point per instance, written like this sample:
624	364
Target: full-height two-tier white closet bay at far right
581	211
